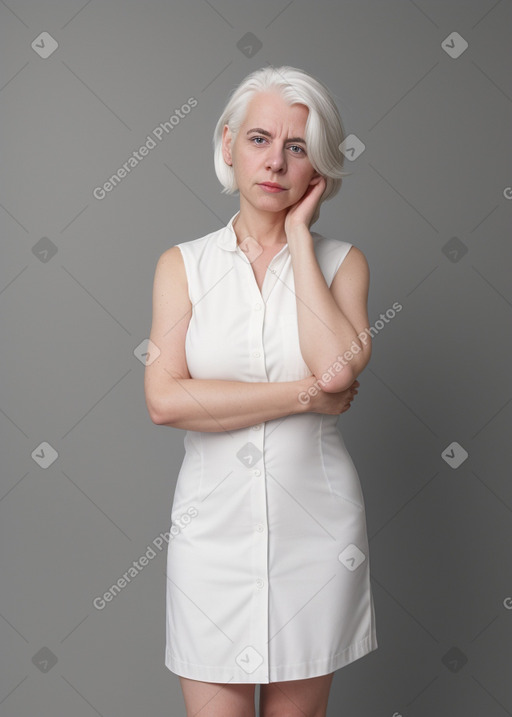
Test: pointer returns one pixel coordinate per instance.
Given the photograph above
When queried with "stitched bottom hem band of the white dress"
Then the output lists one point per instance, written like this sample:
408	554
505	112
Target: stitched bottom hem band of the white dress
281	673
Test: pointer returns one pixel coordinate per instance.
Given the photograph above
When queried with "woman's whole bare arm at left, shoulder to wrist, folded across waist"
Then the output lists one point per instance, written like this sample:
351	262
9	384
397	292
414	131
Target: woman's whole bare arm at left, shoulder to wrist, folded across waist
173	398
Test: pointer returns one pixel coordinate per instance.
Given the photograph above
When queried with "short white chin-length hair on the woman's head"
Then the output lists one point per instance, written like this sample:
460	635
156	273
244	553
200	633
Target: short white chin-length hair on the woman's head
324	130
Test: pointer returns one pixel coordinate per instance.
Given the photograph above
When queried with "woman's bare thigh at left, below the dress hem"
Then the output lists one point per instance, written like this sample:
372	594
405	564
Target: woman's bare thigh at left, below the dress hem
217	699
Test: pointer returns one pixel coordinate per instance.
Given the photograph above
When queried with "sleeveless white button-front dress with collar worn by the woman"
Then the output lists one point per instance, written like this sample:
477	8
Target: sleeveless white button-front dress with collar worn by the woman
268	571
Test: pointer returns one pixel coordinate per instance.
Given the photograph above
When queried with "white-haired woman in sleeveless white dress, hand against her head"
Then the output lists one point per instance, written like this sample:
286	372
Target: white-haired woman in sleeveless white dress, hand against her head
261	331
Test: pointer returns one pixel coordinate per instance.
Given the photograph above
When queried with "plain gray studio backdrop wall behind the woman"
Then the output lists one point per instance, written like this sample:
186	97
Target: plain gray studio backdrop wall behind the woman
436	166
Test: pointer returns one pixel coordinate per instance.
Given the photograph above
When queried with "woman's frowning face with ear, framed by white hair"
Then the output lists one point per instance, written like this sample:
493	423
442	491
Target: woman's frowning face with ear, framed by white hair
275	154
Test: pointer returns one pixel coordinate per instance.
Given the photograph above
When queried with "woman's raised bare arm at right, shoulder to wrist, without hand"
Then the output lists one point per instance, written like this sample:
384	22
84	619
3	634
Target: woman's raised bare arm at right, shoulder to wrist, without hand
332	321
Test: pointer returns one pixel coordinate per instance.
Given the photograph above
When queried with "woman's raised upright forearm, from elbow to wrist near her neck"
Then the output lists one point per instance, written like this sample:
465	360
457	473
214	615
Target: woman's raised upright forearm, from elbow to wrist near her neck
325	333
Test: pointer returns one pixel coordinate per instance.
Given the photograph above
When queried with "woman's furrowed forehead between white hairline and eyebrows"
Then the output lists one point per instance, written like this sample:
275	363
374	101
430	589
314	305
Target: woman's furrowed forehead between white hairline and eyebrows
270	111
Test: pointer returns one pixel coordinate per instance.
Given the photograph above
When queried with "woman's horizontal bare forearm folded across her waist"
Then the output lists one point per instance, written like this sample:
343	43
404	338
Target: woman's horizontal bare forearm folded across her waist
217	405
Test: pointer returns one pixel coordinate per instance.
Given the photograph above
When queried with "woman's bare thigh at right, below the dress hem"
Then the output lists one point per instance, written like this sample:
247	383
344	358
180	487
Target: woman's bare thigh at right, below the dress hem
300	698
